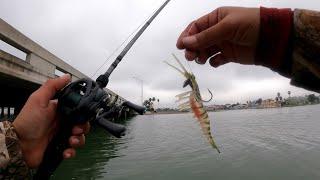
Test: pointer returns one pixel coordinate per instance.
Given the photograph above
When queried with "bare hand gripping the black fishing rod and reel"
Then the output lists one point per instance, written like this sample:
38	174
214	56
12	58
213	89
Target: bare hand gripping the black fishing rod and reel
37	123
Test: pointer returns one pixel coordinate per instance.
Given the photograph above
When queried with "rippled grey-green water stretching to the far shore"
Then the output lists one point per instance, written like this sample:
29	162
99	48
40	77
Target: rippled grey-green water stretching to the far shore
256	144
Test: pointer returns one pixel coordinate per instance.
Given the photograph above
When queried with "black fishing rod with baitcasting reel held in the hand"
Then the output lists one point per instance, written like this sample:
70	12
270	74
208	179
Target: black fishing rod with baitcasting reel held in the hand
86	100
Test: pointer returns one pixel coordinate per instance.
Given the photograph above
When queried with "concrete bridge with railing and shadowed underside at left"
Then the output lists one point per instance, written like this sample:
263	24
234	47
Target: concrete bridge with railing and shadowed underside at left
20	77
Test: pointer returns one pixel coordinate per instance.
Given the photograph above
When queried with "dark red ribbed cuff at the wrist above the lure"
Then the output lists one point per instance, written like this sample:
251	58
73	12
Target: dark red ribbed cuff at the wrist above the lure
274	39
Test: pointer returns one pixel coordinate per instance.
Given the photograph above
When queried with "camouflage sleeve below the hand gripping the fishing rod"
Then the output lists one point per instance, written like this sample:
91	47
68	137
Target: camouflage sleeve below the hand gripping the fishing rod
12	165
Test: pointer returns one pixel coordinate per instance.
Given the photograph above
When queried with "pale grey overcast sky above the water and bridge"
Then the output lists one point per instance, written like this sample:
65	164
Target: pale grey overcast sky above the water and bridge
84	33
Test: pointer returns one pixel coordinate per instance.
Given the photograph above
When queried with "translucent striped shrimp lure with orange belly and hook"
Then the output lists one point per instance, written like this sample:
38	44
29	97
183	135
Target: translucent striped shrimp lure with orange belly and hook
195	102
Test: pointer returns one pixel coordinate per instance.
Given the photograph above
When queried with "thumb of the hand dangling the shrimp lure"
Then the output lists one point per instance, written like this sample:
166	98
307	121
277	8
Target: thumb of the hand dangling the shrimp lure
211	36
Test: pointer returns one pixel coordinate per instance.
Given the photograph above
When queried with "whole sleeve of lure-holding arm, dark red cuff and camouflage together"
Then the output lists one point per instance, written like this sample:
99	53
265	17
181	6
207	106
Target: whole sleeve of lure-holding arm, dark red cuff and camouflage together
289	43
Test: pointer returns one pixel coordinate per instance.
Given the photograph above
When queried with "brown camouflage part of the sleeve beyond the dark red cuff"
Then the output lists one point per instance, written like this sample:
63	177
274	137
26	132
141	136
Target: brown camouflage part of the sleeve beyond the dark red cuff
305	69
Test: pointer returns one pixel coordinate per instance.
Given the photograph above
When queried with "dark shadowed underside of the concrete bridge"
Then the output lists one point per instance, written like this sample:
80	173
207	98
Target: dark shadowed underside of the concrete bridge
14	92
